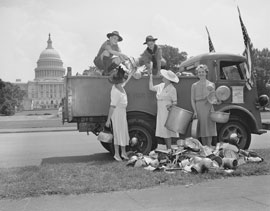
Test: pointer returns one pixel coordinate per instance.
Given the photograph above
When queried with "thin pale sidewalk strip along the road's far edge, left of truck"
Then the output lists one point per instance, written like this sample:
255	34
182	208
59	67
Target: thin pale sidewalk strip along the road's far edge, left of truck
43	129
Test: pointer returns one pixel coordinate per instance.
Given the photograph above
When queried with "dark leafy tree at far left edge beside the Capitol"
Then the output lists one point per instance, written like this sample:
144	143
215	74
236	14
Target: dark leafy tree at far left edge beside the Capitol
11	96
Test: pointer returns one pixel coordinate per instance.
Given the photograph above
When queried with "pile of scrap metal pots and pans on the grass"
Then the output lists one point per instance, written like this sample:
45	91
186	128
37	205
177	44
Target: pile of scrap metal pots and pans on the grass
191	156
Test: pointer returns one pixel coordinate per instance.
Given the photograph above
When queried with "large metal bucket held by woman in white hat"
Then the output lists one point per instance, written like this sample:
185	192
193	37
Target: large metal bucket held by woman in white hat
178	120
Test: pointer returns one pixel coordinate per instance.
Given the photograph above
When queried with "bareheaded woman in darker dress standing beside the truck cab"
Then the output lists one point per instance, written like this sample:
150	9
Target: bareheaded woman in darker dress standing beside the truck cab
201	106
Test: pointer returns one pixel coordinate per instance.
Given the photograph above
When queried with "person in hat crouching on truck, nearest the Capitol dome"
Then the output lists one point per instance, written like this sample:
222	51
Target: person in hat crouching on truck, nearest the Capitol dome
109	55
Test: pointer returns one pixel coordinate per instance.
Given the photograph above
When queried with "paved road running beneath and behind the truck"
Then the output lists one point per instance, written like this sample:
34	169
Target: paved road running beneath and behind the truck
24	149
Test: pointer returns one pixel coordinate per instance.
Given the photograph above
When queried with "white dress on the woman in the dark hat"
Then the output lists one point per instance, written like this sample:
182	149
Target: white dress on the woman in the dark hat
119	117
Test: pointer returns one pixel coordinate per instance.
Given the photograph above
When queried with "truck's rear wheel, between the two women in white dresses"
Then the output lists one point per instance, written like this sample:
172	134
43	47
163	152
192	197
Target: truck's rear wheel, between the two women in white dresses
143	133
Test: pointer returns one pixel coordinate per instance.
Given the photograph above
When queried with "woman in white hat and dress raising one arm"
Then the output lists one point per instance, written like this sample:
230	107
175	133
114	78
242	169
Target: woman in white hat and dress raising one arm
166	97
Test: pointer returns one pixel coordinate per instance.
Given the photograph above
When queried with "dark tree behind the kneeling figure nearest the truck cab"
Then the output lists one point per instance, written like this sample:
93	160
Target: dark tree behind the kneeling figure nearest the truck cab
173	57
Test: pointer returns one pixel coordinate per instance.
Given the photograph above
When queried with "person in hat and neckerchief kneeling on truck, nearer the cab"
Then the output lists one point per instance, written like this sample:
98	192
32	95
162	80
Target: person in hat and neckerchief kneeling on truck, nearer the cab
153	53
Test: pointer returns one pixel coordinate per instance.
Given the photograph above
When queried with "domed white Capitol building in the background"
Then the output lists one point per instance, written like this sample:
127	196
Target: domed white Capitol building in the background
47	88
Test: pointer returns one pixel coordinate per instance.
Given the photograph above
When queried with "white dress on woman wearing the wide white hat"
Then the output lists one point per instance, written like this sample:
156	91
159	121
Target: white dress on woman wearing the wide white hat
165	96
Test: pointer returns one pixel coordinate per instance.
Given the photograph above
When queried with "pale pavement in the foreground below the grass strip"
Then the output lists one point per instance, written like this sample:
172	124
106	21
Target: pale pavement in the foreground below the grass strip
241	193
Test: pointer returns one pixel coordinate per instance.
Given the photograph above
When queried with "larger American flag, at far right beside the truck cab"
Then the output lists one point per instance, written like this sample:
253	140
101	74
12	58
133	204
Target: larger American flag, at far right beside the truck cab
247	53
